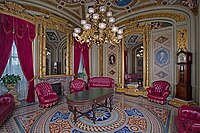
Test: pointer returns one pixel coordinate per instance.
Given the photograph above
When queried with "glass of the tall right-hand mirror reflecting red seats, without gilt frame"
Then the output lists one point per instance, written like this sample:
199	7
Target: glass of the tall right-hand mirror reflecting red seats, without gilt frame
133	59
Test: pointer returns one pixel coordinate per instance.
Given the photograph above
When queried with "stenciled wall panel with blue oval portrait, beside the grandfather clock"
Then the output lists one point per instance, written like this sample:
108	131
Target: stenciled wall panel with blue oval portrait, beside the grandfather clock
162	63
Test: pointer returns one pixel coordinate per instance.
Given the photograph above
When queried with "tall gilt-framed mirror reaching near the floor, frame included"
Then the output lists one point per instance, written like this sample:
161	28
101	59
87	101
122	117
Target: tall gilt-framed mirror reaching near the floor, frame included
135	53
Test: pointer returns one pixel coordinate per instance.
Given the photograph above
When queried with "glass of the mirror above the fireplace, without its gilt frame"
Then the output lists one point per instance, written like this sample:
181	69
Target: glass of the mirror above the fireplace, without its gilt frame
55	52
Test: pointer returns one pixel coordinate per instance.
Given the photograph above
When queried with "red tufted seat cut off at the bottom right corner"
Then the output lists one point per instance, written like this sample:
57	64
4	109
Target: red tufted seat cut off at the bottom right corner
188	119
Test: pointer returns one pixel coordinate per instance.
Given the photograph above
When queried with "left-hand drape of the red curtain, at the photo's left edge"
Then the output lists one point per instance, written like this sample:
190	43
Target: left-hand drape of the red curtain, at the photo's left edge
6	40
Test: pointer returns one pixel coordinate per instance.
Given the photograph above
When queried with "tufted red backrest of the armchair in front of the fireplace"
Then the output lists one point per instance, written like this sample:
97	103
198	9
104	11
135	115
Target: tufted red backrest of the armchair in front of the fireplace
44	89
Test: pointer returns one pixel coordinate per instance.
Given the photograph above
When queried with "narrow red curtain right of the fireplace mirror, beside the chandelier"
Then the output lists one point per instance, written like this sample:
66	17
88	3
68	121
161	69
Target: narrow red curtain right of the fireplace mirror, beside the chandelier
77	55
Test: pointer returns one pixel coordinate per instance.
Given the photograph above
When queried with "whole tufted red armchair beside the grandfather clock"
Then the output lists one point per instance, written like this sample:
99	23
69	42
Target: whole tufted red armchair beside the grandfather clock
159	91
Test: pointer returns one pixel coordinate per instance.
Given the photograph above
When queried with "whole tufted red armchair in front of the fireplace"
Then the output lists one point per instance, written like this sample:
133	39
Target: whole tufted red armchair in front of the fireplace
46	96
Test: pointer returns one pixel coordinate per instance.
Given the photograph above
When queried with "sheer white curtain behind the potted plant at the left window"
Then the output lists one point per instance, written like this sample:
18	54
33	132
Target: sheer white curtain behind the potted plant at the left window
13	67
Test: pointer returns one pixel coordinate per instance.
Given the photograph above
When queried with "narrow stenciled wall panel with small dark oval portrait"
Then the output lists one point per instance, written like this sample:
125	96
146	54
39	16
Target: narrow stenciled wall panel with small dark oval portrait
112	61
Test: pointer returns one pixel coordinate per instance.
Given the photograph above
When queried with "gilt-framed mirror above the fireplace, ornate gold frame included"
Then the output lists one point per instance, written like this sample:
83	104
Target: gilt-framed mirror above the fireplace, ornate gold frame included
55	47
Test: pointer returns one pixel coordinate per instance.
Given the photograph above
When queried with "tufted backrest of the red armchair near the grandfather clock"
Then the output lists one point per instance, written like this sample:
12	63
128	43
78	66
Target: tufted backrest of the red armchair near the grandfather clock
161	86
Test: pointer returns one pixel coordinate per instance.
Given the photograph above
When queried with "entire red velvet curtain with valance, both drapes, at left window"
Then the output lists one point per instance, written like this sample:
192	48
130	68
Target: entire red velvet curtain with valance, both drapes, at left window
23	32
